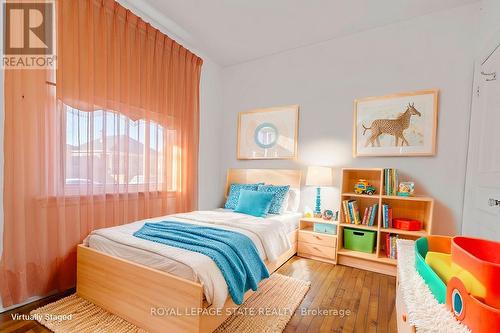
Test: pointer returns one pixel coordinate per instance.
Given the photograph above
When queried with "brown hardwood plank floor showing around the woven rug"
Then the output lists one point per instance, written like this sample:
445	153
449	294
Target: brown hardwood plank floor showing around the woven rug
354	301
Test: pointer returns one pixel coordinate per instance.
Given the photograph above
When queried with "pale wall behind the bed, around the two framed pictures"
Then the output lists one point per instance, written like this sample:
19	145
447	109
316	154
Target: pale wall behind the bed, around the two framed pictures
432	51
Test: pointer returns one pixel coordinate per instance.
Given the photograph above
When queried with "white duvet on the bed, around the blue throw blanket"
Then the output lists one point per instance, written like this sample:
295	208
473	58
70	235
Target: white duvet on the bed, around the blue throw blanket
270	236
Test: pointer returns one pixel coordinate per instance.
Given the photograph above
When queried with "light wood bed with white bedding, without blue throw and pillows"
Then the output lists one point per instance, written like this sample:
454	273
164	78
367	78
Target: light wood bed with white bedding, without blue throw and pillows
144	283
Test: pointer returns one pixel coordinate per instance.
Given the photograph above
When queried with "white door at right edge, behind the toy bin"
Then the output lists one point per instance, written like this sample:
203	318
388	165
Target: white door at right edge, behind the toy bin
481	216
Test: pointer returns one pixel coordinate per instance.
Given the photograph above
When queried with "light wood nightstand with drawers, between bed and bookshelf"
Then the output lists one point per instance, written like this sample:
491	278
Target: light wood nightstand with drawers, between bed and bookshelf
317	245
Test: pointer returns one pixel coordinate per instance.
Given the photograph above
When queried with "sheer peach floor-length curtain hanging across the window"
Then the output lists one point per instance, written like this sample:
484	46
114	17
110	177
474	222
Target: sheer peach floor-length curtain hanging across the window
115	140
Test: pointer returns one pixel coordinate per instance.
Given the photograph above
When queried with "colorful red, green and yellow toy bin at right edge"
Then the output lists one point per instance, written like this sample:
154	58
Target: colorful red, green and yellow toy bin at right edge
464	273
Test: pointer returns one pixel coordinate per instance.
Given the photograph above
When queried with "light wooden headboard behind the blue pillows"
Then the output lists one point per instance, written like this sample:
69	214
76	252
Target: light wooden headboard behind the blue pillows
268	176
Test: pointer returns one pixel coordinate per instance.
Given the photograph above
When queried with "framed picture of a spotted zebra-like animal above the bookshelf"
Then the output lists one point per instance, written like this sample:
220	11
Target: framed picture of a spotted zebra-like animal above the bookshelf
402	124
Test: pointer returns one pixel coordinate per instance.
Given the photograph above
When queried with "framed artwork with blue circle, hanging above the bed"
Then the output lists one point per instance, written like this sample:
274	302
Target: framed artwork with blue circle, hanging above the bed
268	133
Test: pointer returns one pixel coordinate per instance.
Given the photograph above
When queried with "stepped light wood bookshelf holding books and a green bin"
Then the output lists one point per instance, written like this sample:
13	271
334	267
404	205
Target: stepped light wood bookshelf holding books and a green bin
415	207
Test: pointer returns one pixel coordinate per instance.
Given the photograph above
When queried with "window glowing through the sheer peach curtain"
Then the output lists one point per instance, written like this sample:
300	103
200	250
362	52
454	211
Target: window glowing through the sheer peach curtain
108	150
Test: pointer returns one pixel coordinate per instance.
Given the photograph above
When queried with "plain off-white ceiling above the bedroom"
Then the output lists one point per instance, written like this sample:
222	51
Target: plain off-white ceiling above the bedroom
236	31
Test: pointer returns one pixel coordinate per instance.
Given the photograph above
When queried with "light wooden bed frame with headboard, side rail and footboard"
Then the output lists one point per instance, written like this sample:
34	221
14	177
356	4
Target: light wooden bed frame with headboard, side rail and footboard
145	296
